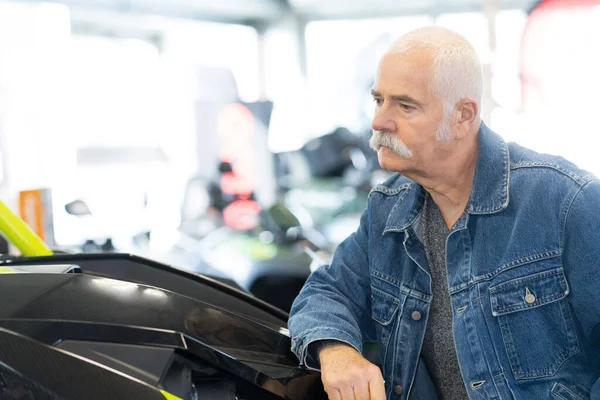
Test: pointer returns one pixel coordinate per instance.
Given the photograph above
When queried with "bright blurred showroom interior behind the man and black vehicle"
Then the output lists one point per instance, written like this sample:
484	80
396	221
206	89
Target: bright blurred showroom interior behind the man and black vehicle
167	128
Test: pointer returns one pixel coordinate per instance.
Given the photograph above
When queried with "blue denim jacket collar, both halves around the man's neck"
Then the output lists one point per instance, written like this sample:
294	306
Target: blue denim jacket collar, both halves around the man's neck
489	194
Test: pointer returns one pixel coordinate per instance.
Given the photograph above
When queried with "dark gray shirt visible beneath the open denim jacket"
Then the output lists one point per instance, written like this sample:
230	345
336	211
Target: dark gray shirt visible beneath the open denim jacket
438	349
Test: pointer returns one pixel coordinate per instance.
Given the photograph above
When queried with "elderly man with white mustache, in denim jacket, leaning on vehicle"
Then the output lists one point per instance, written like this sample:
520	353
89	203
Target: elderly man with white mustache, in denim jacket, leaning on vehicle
476	268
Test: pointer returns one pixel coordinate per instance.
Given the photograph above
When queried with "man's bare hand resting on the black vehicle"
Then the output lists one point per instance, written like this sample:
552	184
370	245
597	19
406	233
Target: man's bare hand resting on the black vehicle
347	375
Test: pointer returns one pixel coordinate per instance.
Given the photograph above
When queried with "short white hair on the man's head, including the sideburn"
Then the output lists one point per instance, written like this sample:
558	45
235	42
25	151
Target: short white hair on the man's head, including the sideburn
456	67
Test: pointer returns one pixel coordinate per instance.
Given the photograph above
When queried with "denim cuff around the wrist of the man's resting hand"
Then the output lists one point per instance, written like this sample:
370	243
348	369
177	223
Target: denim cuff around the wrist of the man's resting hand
300	344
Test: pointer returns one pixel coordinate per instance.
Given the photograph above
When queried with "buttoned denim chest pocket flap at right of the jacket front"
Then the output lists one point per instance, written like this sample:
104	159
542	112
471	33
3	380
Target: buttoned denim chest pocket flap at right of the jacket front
528	292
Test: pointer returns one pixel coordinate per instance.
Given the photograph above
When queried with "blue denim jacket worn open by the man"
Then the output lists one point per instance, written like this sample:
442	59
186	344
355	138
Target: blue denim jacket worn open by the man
523	273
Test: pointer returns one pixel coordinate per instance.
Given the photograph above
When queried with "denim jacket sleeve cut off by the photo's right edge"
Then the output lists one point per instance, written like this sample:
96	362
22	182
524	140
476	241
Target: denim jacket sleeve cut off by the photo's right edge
581	262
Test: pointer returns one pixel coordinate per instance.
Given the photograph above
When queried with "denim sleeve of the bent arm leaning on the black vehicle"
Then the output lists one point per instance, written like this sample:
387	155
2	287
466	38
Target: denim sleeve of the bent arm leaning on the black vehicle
335	302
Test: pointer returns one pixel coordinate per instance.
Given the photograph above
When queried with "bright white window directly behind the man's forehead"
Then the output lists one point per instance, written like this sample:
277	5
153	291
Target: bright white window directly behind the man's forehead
342	59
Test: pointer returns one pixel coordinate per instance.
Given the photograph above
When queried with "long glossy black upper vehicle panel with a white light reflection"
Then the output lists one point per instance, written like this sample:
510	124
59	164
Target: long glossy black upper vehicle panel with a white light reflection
80	297
